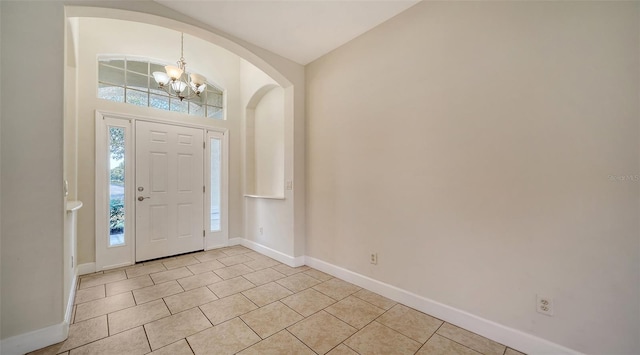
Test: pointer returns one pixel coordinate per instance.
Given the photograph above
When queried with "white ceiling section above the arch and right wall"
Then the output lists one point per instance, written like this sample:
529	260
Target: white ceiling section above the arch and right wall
300	30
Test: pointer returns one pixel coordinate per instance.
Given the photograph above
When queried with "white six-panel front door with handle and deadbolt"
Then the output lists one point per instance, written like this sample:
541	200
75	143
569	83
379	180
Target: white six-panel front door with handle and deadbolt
169	190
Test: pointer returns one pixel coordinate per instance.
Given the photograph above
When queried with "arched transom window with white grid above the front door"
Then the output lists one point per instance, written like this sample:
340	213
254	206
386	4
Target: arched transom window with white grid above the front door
130	80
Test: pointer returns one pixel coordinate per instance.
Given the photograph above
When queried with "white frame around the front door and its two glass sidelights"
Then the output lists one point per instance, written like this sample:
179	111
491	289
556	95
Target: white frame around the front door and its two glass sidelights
126	256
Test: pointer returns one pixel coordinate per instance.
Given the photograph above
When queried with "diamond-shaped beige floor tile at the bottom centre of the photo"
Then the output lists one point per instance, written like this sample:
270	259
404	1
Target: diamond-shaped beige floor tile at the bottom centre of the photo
322	331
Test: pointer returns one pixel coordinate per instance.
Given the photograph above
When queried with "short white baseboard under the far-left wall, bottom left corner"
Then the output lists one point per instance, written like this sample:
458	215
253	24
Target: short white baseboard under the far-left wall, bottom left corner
27	342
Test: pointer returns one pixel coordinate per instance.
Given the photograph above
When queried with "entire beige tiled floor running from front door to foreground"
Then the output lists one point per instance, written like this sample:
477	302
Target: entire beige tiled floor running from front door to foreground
234	300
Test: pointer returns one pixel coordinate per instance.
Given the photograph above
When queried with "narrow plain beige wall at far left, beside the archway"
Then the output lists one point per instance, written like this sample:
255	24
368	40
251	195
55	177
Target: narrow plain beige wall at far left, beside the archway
32	158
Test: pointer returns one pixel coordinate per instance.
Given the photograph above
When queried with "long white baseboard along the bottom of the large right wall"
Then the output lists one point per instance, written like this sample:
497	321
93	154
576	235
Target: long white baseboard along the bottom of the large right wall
510	337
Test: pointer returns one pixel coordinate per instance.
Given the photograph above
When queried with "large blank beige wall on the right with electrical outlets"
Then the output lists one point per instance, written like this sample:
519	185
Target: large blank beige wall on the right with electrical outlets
473	146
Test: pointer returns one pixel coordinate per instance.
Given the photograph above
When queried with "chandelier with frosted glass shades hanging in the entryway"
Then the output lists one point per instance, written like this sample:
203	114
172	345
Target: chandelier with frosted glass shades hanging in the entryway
177	82
